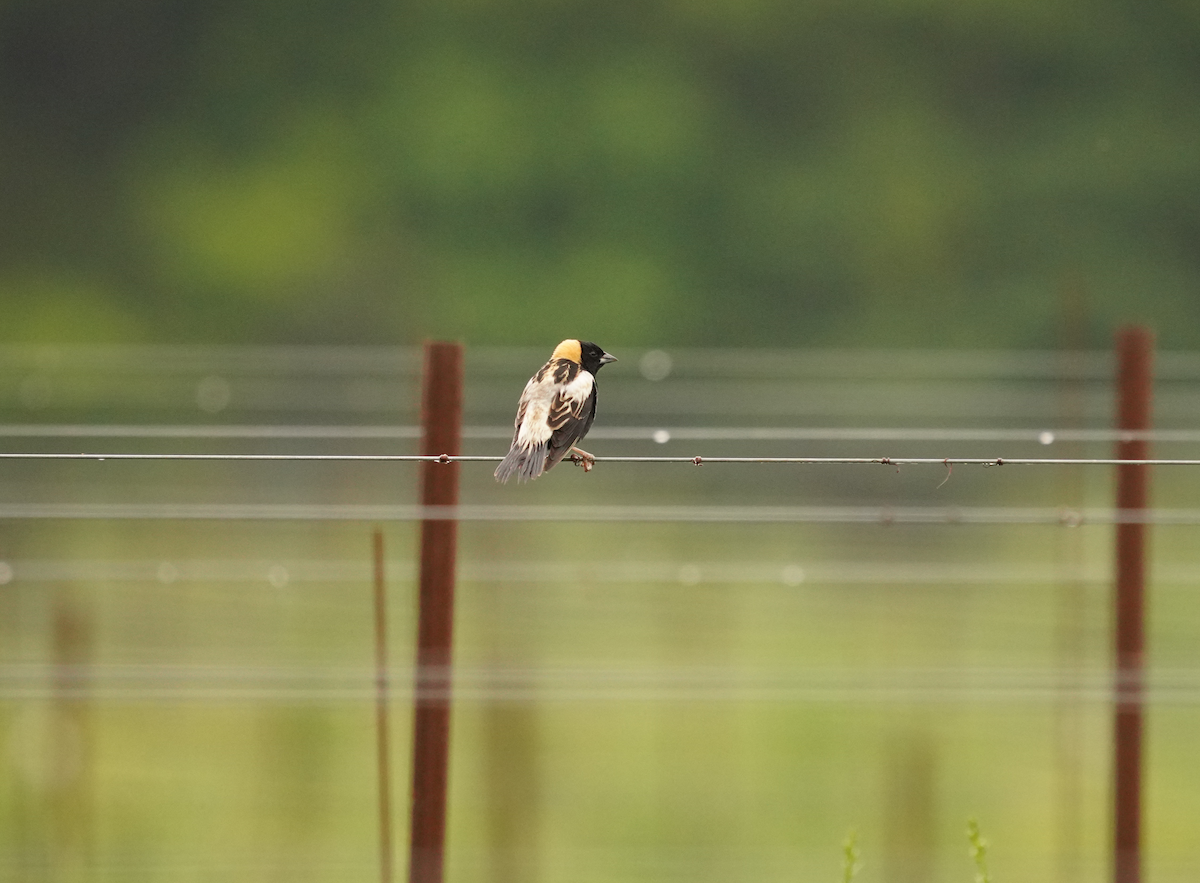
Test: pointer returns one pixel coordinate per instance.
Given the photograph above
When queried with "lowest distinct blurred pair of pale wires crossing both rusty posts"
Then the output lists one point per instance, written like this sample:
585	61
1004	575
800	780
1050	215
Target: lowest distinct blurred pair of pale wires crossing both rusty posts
117	683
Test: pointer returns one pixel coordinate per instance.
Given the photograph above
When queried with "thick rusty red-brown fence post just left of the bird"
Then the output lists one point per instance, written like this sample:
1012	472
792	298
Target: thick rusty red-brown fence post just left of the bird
442	419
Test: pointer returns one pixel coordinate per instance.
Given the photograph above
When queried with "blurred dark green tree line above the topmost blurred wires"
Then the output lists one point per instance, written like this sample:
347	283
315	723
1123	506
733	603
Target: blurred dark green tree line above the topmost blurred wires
676	172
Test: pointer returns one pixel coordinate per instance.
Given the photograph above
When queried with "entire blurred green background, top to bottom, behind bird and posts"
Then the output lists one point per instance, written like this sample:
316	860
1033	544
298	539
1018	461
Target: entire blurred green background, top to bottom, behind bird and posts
224	224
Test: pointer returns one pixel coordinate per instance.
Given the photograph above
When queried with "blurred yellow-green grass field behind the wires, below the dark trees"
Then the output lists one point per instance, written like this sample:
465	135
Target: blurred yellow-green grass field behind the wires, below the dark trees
635	701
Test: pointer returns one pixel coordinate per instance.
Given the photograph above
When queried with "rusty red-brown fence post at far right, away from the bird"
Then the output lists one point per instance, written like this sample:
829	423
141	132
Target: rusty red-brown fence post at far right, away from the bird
1135	351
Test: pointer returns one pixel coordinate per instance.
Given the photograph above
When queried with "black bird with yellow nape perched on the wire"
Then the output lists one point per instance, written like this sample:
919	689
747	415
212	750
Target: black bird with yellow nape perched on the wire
555	412
